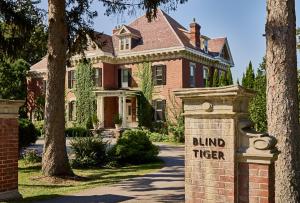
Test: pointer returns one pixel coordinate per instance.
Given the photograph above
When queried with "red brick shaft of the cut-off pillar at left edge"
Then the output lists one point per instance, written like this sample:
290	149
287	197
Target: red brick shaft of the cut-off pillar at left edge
8	154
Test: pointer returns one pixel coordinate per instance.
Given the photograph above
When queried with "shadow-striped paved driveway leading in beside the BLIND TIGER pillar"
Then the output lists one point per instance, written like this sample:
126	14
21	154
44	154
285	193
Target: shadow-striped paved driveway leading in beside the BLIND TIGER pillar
166	185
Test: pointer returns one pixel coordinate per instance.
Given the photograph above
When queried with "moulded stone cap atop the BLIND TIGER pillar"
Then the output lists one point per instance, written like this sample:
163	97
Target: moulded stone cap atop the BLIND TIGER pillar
216	100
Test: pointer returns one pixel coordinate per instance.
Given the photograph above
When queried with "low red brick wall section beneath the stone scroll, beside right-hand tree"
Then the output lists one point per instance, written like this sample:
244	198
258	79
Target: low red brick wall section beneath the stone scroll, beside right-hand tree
256	183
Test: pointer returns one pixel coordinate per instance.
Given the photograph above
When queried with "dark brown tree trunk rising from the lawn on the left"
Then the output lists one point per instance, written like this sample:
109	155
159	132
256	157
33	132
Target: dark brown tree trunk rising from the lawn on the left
55	160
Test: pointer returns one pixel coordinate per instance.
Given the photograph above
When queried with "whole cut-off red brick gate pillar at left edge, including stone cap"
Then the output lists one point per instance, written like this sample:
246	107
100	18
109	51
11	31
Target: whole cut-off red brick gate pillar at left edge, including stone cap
9	153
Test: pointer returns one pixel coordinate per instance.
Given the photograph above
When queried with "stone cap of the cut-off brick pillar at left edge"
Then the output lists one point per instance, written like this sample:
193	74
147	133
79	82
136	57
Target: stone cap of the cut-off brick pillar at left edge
10	108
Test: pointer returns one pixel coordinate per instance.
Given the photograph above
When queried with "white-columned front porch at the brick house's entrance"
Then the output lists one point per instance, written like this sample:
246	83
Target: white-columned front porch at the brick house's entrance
111	103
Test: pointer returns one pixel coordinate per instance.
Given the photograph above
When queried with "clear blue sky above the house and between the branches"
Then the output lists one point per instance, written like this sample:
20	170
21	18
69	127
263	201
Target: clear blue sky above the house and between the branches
241	21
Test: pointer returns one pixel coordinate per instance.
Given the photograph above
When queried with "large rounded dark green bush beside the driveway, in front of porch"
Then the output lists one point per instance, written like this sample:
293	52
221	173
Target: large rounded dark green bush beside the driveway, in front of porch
134	147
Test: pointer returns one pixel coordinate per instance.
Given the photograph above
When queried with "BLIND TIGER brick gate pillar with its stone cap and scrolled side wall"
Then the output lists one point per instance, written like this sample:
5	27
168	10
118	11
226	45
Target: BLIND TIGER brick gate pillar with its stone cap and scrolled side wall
225	159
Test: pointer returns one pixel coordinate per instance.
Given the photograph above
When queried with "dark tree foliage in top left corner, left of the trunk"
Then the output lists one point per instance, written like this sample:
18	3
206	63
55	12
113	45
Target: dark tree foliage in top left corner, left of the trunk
22	32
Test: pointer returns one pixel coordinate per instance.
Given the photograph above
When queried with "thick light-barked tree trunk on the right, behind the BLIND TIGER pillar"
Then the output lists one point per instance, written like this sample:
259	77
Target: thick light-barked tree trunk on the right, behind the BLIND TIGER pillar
282	99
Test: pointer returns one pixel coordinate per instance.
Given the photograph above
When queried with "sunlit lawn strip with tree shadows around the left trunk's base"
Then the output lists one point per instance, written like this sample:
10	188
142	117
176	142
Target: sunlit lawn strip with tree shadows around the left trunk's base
33	186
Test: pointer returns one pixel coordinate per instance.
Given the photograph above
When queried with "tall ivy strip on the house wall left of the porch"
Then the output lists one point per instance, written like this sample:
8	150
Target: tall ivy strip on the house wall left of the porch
84	94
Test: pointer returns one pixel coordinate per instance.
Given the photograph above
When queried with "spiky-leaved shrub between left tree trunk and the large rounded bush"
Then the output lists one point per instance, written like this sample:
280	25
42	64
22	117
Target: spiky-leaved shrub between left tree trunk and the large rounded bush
89	152
